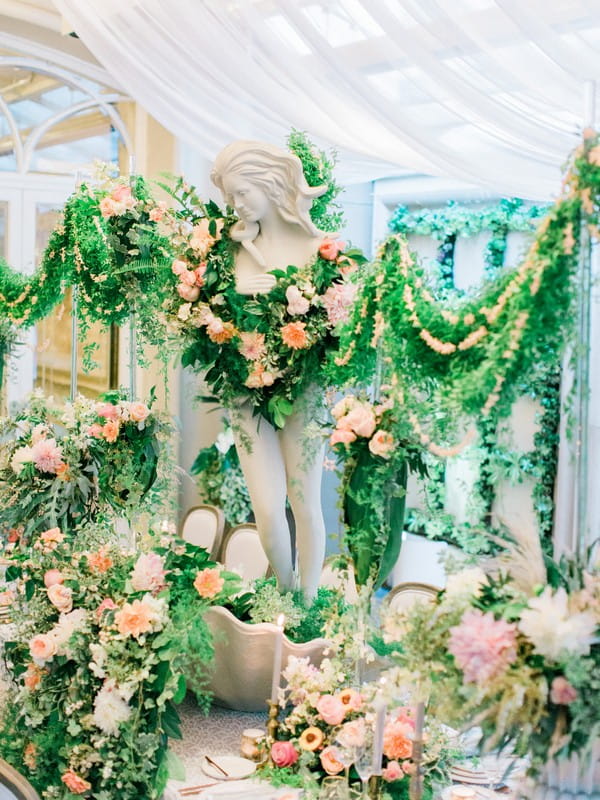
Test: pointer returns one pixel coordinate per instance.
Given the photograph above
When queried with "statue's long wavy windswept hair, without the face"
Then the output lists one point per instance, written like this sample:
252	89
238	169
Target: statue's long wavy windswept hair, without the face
280	175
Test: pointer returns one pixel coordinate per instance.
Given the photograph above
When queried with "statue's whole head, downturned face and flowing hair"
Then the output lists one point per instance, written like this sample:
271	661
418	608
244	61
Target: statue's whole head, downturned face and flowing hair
264	174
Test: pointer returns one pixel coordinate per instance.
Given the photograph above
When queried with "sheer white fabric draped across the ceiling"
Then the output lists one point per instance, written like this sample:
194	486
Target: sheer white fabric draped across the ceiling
486	91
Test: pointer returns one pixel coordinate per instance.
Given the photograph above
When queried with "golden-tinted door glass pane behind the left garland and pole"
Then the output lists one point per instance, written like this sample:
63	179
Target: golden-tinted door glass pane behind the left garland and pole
53	373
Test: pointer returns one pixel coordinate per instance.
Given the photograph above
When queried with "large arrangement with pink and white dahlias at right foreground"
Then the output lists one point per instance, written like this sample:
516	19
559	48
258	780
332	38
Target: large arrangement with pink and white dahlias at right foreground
516	652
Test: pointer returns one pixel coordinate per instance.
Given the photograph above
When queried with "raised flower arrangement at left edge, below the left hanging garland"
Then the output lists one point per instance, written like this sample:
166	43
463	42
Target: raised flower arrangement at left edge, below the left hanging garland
99	456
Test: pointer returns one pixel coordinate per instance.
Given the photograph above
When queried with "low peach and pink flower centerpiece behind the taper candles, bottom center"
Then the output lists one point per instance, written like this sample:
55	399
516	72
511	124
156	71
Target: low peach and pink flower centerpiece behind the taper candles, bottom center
331	724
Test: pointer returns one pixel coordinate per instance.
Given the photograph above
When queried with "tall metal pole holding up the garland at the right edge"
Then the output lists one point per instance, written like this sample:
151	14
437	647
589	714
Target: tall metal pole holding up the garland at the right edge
582	370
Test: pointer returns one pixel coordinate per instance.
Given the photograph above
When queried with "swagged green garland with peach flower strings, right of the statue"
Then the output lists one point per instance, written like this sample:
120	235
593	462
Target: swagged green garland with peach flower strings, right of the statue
470	355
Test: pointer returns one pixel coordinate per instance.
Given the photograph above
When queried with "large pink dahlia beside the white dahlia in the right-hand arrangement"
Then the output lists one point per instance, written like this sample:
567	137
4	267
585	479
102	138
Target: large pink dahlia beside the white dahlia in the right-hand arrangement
482	646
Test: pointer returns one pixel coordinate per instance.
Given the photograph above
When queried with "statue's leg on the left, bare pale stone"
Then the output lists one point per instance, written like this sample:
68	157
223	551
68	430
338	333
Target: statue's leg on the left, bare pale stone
262	463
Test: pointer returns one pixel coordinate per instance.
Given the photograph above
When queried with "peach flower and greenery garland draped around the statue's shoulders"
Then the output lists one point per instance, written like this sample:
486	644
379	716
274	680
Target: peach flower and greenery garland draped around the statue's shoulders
266	348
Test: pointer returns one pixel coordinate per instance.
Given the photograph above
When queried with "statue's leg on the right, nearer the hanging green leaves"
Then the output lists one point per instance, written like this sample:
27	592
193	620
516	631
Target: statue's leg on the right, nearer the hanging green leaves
304	466
